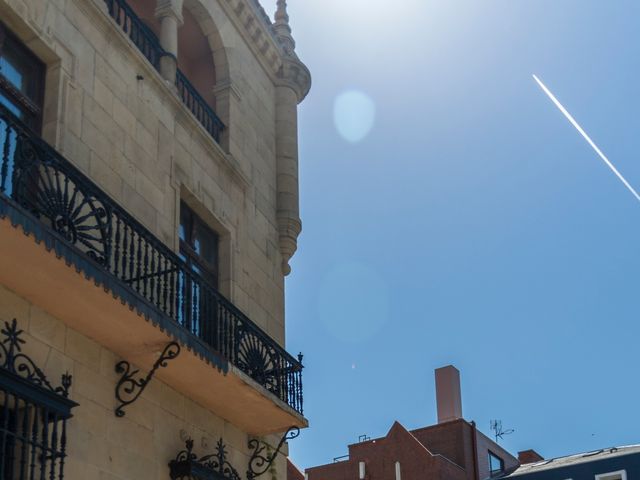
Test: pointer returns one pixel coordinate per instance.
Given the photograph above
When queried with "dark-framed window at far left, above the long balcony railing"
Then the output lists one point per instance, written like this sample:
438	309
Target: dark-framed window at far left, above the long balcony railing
21	80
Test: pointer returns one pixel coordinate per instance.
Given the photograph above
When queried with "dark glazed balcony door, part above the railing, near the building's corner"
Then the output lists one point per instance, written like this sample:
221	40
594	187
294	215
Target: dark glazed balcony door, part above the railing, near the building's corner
198	245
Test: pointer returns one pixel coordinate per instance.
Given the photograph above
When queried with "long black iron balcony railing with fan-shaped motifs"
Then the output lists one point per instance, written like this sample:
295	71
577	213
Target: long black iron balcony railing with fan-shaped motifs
38	179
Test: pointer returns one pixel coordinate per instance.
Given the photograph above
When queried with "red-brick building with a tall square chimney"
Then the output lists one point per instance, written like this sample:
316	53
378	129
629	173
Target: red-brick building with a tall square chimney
453	449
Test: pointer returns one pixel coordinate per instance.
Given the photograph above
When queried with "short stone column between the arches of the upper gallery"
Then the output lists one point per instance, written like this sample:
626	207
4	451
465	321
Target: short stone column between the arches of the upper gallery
169	14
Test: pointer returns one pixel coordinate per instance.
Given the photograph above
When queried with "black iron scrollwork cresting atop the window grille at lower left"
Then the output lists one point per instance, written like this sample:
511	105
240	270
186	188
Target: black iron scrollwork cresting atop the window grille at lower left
13	360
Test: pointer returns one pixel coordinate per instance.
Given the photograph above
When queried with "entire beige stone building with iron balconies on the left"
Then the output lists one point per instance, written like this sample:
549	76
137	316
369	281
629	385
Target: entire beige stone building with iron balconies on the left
148	212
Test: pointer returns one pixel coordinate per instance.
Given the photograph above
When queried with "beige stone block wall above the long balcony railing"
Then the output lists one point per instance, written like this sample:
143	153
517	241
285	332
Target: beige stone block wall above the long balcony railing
111	114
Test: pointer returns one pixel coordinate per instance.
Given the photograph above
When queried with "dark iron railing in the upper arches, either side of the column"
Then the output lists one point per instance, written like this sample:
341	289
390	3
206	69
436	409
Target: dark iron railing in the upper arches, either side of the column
147	42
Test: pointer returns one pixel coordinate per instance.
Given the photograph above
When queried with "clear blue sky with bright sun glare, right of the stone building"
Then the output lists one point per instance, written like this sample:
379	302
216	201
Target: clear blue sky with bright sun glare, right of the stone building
472	225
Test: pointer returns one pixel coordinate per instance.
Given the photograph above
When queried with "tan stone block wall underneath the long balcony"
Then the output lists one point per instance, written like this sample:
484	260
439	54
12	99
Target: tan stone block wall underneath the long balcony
100	446
